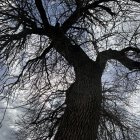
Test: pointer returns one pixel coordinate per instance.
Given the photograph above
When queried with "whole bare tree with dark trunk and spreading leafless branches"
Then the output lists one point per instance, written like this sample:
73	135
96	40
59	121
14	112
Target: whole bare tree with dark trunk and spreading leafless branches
61	49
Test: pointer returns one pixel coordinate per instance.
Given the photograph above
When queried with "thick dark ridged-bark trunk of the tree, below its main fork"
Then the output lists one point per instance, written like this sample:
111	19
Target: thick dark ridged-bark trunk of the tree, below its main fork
83	99
